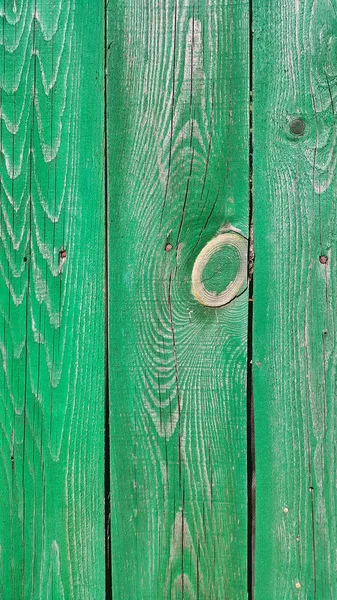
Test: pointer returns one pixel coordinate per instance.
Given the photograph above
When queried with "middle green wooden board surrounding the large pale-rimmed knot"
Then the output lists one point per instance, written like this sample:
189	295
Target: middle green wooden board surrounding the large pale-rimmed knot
178	111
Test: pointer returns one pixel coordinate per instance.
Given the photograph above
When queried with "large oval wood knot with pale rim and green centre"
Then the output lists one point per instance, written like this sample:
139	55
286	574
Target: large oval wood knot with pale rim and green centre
222	266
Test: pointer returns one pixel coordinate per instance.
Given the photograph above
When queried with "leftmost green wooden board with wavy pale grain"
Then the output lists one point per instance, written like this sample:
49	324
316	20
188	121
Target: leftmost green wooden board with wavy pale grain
51	300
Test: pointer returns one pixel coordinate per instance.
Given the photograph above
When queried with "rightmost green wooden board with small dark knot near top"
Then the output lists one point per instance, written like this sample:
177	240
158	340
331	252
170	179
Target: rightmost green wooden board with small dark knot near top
294	333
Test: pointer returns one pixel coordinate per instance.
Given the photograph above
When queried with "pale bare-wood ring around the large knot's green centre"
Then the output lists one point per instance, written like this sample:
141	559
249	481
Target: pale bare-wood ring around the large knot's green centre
230	240
